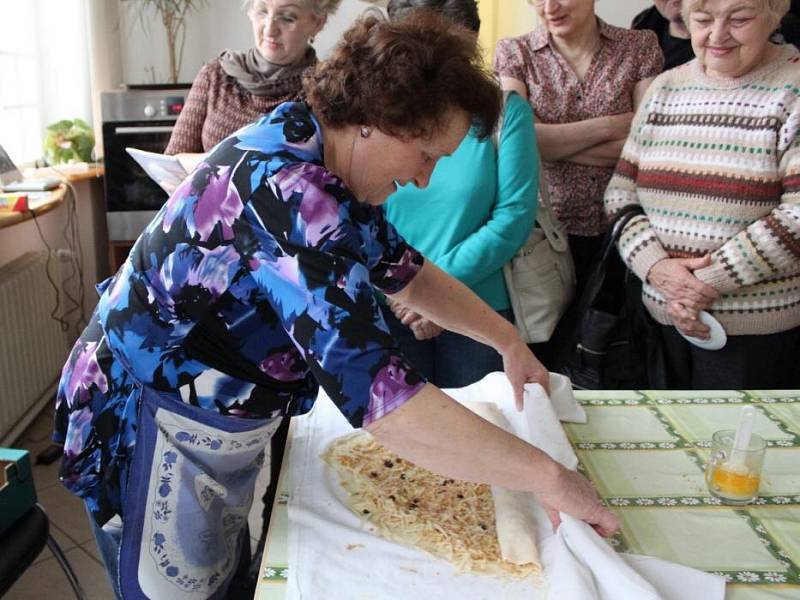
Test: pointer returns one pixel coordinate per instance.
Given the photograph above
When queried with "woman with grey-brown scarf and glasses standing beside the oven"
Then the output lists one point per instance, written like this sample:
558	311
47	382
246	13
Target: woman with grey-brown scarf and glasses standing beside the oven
237	88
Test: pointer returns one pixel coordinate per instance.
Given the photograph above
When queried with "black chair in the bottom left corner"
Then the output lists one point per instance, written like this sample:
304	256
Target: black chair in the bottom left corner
22	543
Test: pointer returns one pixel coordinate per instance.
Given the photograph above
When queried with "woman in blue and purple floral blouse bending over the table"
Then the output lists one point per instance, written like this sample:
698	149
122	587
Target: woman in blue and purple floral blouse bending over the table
254	285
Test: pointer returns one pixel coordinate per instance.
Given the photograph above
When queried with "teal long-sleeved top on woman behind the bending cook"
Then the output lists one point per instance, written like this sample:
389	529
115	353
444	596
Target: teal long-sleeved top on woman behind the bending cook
479	206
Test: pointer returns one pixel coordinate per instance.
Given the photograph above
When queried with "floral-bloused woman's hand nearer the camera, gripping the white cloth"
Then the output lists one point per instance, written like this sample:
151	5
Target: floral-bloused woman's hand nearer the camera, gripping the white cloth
570	492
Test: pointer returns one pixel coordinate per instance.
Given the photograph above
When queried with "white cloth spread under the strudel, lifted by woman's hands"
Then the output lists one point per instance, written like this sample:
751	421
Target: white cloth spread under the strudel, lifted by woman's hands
334	554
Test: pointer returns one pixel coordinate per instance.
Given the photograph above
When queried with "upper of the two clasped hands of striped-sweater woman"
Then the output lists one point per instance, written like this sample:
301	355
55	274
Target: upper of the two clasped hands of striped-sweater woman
674	279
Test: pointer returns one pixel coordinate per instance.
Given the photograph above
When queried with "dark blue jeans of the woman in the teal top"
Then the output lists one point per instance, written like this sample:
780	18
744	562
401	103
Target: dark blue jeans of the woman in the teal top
449	360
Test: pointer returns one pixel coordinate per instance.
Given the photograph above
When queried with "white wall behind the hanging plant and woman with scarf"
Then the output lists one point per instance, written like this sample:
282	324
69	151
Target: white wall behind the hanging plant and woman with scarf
217	25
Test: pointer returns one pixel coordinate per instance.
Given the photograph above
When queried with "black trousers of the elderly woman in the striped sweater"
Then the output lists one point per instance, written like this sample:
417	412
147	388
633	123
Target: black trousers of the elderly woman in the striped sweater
746	362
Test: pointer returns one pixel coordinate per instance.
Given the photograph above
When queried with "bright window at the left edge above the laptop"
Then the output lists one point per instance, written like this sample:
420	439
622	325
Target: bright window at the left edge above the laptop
20	109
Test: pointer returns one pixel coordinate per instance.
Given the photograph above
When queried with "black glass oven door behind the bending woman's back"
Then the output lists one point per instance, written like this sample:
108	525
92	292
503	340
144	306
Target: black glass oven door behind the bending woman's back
132	198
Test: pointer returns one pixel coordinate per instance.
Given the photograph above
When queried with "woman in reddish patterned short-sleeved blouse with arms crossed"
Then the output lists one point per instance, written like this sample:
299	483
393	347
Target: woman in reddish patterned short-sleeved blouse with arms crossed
584	80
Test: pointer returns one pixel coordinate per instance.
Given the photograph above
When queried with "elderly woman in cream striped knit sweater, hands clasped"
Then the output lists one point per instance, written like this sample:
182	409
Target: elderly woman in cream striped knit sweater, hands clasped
713	158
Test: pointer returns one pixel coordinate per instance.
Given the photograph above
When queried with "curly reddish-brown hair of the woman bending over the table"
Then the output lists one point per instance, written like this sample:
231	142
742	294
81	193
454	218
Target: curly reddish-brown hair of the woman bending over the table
402	76
